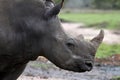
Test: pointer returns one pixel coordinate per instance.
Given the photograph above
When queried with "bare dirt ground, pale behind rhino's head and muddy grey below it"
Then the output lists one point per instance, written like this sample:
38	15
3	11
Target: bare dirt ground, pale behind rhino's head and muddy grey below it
103	70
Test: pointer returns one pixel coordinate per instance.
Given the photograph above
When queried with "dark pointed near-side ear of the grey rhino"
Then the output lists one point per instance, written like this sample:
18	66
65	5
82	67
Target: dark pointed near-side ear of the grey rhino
55	10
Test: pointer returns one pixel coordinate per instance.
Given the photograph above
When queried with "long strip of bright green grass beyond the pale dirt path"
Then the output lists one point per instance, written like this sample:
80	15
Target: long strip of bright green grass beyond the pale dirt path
107	20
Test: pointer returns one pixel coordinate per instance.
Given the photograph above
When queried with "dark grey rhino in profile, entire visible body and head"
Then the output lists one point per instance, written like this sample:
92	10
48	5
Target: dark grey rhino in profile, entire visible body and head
31	28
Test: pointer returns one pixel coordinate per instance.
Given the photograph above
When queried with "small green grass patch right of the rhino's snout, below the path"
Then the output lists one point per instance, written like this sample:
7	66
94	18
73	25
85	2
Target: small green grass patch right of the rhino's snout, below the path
106	50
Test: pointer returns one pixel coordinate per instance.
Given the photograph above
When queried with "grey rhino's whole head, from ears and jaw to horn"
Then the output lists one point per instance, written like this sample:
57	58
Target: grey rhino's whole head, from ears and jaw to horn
74	54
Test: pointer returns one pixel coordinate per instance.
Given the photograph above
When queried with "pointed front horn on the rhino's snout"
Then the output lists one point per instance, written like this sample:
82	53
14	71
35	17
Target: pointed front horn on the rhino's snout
98	39
